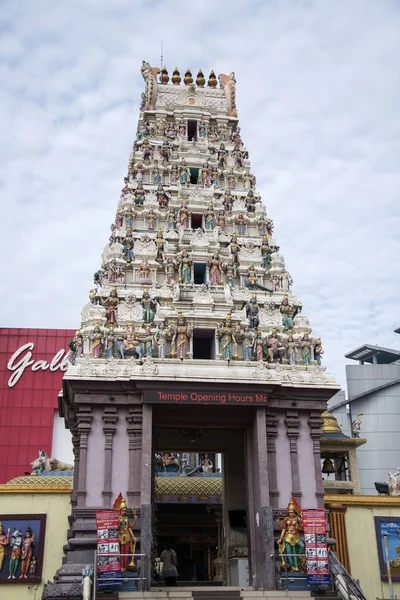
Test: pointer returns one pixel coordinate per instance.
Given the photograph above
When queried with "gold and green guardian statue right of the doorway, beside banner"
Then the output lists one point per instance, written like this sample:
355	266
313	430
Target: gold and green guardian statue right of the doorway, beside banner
289	542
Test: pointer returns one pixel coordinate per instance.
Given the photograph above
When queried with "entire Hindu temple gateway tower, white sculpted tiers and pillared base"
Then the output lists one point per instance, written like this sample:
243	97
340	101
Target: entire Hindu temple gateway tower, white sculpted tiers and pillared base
195	387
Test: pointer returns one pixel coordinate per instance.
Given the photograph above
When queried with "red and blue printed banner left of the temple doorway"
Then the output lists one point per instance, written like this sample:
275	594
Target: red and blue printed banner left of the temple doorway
108	567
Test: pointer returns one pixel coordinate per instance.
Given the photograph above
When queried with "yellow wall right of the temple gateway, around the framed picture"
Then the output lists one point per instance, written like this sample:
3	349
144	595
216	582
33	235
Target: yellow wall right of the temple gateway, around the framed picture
363	549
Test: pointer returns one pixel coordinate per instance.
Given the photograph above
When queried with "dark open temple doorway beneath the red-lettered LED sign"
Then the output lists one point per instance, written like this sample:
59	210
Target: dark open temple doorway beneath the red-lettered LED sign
200	503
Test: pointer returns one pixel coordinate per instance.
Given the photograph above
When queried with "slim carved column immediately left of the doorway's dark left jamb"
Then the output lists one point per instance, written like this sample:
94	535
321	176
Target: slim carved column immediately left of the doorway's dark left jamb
134	430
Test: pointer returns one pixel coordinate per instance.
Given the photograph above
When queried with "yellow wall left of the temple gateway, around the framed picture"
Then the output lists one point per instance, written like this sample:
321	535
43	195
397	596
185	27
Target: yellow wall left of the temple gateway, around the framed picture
57	508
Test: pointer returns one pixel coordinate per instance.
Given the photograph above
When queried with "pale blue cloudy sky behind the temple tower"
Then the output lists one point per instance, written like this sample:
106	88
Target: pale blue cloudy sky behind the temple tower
318	98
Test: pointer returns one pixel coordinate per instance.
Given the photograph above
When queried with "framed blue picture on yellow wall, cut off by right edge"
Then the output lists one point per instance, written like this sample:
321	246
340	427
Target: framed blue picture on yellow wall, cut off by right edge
388	527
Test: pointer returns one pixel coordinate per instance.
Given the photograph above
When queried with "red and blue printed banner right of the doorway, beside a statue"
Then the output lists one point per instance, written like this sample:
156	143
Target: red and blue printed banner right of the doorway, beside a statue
316	547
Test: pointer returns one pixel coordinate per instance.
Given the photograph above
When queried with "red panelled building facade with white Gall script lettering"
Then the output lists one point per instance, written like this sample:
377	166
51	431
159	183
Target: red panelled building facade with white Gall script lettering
32	362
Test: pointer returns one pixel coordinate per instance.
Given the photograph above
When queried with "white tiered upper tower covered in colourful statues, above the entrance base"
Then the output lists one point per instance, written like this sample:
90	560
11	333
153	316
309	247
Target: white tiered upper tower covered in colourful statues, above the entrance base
192	243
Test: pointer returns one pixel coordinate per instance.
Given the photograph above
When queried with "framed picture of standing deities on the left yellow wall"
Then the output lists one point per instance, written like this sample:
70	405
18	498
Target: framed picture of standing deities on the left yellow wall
22	539
